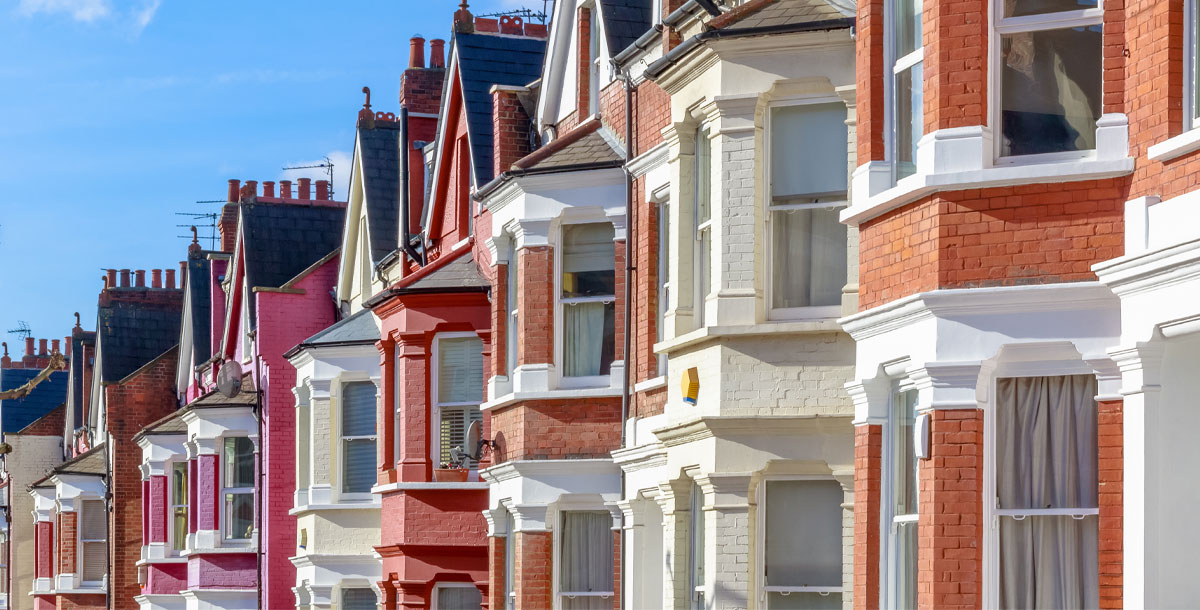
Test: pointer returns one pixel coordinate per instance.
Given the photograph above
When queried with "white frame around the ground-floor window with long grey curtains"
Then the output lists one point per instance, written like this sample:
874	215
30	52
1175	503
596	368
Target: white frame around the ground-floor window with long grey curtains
992	516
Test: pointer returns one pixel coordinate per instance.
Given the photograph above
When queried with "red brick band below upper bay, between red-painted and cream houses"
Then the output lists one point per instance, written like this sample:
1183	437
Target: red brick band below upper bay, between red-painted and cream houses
557	429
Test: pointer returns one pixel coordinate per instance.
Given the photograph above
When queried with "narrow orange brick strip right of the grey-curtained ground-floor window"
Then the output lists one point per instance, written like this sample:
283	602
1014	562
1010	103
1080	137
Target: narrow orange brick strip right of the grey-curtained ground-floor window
1111	436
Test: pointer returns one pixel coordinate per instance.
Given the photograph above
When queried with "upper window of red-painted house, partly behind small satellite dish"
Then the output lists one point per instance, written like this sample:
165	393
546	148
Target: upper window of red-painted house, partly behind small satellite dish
459	394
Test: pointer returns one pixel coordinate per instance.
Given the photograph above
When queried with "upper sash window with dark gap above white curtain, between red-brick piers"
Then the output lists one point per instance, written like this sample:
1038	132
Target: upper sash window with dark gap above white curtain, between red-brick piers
589	298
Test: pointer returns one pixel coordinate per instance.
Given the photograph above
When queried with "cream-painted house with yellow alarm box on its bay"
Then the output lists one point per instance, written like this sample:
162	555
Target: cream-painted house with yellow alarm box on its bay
745	497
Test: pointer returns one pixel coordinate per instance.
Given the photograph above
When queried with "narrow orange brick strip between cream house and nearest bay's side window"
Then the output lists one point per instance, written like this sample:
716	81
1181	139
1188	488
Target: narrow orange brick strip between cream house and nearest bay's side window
868	464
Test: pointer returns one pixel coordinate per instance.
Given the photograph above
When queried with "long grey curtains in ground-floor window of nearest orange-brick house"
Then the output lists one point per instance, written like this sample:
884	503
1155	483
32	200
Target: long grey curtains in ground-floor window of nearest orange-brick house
1047	458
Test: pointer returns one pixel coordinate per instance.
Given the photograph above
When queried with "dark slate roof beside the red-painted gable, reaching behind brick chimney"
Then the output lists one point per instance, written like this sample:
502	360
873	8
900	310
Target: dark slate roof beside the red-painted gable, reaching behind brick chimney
487	61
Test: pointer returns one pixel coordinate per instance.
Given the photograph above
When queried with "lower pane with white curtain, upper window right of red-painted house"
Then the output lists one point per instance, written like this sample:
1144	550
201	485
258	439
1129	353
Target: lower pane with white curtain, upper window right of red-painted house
589	338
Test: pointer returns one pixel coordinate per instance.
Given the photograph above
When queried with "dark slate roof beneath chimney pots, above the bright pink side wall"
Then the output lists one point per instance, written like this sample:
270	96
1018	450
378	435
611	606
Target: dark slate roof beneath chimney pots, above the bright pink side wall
284	240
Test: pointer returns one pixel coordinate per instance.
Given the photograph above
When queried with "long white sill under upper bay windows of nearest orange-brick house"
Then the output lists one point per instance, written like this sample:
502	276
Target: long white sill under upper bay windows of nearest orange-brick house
916	187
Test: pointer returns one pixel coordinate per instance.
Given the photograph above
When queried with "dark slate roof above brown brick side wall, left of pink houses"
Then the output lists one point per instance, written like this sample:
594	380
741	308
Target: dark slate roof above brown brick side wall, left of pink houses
135	333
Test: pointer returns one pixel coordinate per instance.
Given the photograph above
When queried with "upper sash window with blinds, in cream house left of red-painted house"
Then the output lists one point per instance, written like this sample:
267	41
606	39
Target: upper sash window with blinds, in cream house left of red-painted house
358	438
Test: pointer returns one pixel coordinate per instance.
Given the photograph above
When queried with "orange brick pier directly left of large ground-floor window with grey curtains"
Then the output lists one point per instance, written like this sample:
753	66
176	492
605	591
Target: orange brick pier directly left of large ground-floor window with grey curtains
951	506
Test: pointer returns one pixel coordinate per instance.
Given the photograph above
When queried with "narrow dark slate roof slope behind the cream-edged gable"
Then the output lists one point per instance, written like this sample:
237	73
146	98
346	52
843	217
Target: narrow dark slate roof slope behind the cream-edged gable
380	148
